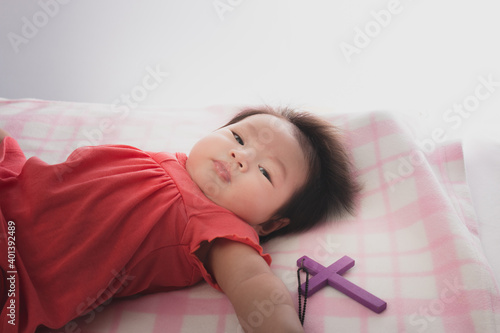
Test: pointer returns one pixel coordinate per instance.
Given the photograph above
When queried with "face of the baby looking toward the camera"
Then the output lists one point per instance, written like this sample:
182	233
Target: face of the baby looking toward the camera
251	168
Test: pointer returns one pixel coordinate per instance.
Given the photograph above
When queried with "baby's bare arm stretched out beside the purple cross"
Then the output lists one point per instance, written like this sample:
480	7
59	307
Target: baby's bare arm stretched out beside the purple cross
261	300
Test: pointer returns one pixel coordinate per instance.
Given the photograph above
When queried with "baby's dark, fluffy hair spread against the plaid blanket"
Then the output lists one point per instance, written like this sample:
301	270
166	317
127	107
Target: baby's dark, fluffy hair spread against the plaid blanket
330	188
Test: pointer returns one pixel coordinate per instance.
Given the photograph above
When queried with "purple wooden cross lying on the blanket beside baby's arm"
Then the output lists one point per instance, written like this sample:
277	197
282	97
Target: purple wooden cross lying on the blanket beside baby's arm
332	276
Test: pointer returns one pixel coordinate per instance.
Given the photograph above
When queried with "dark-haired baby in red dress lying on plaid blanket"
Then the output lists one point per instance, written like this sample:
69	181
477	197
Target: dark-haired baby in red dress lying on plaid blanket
114	221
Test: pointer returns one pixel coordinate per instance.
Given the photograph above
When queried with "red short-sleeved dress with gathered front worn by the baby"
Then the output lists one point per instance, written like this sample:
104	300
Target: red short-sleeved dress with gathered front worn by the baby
111	221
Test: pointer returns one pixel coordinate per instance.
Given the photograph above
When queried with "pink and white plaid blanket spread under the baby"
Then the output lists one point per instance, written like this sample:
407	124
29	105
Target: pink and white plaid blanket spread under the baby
414	238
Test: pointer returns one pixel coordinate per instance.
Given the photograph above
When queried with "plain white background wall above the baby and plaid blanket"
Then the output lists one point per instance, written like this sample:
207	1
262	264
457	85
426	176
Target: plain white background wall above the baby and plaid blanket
423	59
